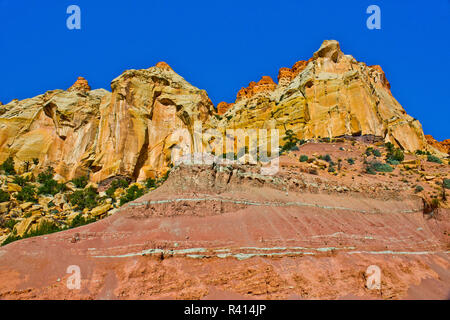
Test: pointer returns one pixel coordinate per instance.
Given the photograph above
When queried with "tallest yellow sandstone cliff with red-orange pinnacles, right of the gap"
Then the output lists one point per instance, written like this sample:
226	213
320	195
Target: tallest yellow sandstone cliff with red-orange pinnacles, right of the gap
329	95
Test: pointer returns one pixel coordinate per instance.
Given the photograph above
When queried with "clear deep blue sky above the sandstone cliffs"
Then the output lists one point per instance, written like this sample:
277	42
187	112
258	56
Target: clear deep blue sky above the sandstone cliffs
221	46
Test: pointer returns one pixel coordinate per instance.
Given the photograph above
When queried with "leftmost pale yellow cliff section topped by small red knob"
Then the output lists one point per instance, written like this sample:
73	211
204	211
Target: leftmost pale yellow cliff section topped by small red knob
58	128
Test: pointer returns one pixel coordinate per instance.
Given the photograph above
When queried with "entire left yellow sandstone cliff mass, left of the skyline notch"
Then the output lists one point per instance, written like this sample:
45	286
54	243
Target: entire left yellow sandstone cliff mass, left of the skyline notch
126	132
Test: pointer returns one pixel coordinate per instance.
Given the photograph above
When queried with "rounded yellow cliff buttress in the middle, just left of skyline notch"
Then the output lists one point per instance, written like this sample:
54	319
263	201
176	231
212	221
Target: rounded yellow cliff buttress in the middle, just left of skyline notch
136	124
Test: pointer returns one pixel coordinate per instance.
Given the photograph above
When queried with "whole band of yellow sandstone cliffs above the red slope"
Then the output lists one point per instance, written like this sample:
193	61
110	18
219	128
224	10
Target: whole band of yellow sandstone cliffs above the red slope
130	130
